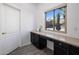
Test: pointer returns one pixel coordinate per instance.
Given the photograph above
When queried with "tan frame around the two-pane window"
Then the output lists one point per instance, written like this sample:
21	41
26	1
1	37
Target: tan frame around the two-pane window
58	7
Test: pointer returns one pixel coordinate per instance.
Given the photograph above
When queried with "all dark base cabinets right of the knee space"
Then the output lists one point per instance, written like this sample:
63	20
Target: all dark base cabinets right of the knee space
61	48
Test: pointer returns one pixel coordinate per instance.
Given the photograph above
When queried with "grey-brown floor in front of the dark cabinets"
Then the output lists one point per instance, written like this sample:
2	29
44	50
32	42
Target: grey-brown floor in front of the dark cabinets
31	50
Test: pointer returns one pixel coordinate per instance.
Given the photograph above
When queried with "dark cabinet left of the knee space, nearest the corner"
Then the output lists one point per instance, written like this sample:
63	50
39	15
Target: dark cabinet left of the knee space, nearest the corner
38	41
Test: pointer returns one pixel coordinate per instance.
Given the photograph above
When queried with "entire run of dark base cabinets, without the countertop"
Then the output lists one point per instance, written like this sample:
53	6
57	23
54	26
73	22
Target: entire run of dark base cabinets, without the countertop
60	48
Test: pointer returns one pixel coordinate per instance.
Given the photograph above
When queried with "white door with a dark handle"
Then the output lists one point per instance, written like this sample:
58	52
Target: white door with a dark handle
9	28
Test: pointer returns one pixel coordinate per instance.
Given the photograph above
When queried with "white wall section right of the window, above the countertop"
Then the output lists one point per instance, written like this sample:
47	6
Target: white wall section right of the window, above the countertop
73	20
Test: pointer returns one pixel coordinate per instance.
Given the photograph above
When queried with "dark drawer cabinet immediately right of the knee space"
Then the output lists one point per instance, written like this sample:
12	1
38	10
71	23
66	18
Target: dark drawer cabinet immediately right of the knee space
60	48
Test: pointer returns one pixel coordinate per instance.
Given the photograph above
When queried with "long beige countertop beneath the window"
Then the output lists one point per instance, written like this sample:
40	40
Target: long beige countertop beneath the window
62	38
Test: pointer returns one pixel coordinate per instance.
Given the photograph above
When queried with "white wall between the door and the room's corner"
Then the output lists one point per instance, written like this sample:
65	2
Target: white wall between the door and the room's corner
27	20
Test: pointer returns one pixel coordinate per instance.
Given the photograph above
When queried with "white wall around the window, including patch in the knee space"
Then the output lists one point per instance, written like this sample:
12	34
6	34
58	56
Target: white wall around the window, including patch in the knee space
72	19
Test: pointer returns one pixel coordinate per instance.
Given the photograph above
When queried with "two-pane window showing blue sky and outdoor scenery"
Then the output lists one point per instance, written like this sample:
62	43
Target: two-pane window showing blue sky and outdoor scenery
56	19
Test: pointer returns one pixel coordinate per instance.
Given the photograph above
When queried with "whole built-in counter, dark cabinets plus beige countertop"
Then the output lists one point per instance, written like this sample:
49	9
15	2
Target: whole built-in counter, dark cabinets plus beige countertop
63	45
